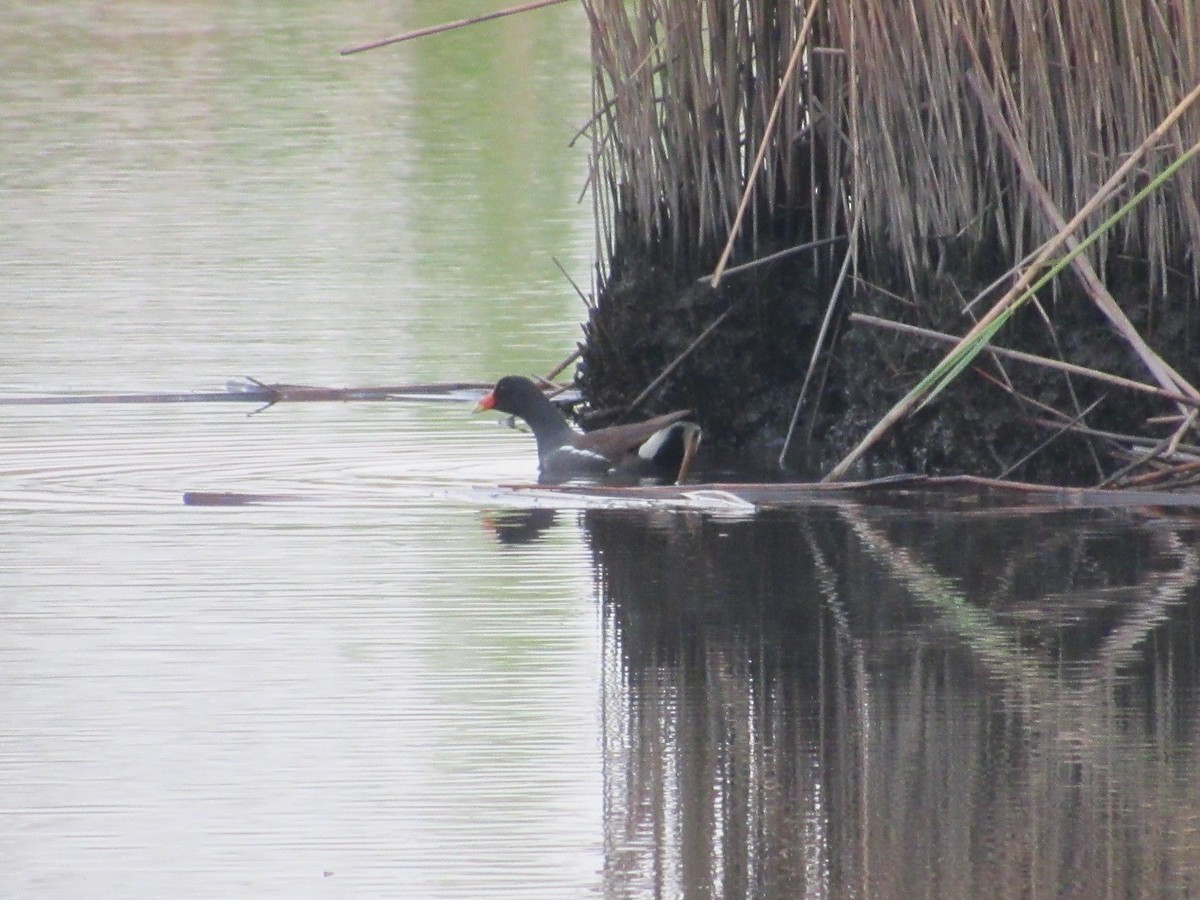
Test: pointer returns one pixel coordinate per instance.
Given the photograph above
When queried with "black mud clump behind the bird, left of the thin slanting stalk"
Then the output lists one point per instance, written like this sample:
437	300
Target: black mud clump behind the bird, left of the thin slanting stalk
740	381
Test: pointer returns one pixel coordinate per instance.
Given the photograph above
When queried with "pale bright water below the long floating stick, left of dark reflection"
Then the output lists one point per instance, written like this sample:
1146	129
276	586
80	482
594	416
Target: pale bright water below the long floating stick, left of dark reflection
207	703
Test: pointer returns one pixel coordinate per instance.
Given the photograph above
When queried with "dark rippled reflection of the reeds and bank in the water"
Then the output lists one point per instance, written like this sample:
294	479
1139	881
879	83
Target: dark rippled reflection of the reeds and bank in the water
883	704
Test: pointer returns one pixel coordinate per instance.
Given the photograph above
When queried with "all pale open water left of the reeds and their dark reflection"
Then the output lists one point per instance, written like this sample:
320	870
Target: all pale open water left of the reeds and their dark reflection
362	681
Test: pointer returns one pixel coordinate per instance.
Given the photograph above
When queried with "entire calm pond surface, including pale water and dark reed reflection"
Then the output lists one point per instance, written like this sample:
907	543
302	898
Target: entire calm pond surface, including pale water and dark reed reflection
400	680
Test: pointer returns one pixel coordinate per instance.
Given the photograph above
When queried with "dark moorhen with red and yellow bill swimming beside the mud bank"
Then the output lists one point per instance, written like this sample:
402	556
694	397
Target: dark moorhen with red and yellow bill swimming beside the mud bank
662	447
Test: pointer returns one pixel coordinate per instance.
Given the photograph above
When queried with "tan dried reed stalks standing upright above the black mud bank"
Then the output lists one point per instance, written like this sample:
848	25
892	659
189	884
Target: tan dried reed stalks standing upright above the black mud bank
685	92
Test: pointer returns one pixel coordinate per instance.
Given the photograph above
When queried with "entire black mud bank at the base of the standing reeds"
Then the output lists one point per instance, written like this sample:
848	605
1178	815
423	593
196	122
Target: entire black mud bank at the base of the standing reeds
743	381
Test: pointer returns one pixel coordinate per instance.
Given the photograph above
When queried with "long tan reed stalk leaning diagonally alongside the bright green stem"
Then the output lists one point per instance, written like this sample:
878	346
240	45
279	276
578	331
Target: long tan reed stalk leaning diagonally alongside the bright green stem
1019	290
